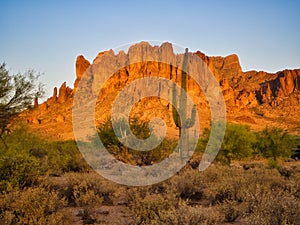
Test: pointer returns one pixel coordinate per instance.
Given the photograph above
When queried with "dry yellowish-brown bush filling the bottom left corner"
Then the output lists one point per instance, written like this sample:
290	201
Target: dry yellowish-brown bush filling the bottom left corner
32	206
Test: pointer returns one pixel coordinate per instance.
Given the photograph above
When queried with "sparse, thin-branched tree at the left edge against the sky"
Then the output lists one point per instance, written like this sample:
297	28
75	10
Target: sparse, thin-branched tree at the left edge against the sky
17	93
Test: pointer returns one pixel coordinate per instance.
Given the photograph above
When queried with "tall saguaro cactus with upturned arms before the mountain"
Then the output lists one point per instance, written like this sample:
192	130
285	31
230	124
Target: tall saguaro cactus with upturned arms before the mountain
180	116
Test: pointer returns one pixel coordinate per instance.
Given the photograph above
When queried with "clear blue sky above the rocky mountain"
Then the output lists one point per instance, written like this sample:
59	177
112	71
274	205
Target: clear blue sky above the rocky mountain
47	36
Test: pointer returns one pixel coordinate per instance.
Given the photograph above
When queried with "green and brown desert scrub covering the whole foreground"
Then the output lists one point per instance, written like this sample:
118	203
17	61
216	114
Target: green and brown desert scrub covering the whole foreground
253	181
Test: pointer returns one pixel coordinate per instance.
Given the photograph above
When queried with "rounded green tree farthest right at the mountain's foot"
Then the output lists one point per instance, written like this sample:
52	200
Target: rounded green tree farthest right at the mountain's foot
275	142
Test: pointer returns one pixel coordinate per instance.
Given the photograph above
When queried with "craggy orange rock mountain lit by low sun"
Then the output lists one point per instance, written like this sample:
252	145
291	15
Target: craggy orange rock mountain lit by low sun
255	98
